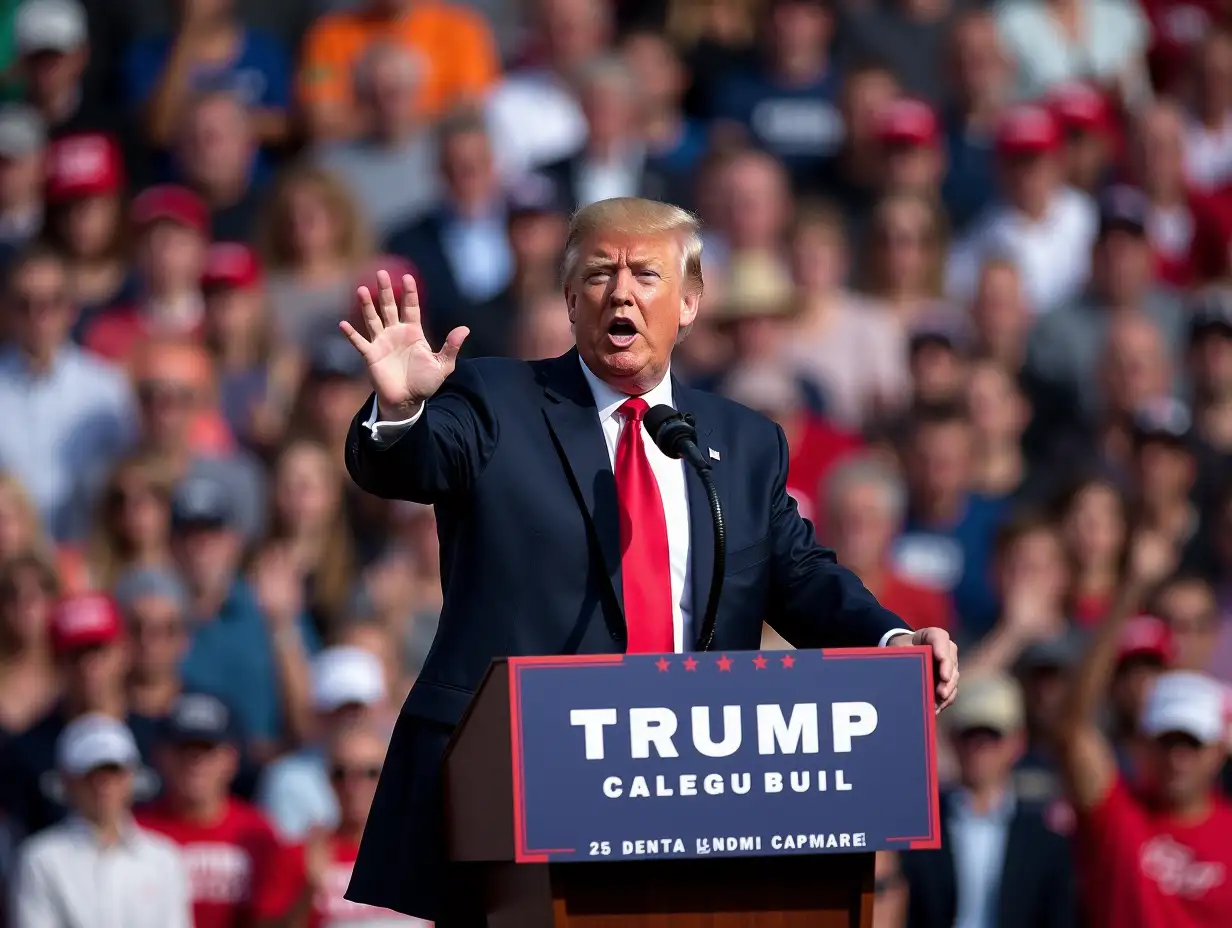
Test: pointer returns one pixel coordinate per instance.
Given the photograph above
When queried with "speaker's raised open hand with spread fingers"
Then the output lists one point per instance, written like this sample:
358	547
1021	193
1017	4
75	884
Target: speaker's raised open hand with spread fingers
402	367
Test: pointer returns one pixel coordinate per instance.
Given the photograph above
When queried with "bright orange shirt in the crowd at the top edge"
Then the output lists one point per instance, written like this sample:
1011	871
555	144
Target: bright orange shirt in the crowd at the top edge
453	46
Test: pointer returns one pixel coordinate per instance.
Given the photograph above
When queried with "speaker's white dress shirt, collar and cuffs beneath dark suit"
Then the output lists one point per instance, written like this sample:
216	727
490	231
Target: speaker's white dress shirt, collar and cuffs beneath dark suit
668	473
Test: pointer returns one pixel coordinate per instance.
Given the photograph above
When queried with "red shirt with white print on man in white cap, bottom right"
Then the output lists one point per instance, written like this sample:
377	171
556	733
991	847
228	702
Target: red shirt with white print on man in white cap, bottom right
1145	871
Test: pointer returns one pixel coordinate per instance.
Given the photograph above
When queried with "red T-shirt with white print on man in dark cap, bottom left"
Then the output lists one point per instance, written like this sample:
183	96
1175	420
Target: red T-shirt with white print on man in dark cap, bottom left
233	865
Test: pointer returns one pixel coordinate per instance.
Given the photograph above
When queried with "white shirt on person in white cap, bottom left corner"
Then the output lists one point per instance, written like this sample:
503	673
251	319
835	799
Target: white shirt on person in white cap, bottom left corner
67	879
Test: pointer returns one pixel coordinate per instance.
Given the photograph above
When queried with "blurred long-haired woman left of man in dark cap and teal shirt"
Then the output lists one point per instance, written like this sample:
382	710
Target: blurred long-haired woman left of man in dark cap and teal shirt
134	522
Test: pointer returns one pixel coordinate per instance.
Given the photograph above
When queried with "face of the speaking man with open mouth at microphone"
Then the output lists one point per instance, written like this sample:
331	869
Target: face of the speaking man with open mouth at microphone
628	301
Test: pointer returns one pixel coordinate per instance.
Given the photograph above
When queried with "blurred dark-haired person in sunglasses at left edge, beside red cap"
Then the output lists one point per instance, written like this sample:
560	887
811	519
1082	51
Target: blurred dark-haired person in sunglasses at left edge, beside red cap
29	682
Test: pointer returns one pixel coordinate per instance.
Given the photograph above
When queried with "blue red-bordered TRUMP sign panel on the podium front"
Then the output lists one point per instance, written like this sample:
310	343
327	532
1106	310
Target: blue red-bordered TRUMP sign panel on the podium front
686	756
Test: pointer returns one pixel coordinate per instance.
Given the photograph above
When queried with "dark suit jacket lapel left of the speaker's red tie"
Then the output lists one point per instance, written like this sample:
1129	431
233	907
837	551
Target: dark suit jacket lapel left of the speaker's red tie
575	425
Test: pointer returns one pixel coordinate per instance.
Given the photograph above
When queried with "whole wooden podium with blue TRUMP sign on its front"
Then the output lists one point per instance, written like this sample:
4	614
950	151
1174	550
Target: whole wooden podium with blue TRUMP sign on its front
697	791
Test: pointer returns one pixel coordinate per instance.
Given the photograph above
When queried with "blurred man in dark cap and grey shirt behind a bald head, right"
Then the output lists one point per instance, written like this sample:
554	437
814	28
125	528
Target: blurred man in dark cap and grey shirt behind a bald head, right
1068	343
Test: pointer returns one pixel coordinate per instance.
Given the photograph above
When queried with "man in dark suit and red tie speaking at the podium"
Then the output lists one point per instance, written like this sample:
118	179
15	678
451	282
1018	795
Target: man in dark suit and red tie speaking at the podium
564	529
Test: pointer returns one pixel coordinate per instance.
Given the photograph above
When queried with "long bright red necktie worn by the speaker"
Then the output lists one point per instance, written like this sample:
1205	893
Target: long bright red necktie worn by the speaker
646	563
